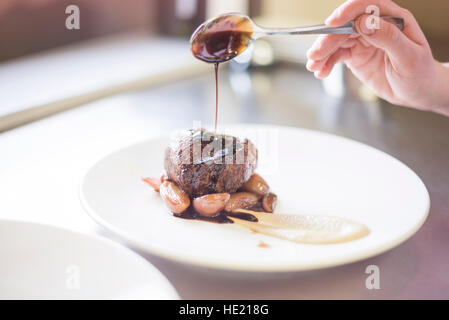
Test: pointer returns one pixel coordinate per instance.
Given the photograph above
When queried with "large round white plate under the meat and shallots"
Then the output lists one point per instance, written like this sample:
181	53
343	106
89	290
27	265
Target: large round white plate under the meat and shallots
311	172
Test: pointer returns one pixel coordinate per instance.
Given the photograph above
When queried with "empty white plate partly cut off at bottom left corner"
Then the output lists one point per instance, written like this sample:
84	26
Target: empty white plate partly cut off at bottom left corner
43	262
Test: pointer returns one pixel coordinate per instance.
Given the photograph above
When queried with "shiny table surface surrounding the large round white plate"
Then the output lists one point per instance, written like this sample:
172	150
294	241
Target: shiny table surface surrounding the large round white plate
41	165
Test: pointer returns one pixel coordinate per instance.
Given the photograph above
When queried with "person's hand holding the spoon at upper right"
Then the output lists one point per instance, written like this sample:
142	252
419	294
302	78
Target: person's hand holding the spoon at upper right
397	66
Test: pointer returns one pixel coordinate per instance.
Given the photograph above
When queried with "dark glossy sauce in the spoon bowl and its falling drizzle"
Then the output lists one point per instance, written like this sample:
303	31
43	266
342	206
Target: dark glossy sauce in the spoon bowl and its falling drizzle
220	40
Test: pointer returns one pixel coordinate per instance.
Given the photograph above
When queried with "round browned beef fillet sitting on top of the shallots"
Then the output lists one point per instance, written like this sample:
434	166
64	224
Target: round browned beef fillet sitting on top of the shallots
201	163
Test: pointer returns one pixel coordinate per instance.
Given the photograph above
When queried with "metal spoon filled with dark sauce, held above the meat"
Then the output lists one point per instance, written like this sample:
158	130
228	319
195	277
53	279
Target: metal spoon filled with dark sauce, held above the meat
226	36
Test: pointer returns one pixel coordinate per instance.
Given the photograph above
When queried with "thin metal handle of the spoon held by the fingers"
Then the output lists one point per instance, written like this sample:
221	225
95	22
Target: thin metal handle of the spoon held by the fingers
348	28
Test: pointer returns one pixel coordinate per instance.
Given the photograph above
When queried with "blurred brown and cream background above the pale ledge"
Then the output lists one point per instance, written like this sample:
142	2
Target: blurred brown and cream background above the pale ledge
29	26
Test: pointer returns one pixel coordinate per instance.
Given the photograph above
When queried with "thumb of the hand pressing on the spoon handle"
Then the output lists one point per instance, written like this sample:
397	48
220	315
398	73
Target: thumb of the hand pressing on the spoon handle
388	37
